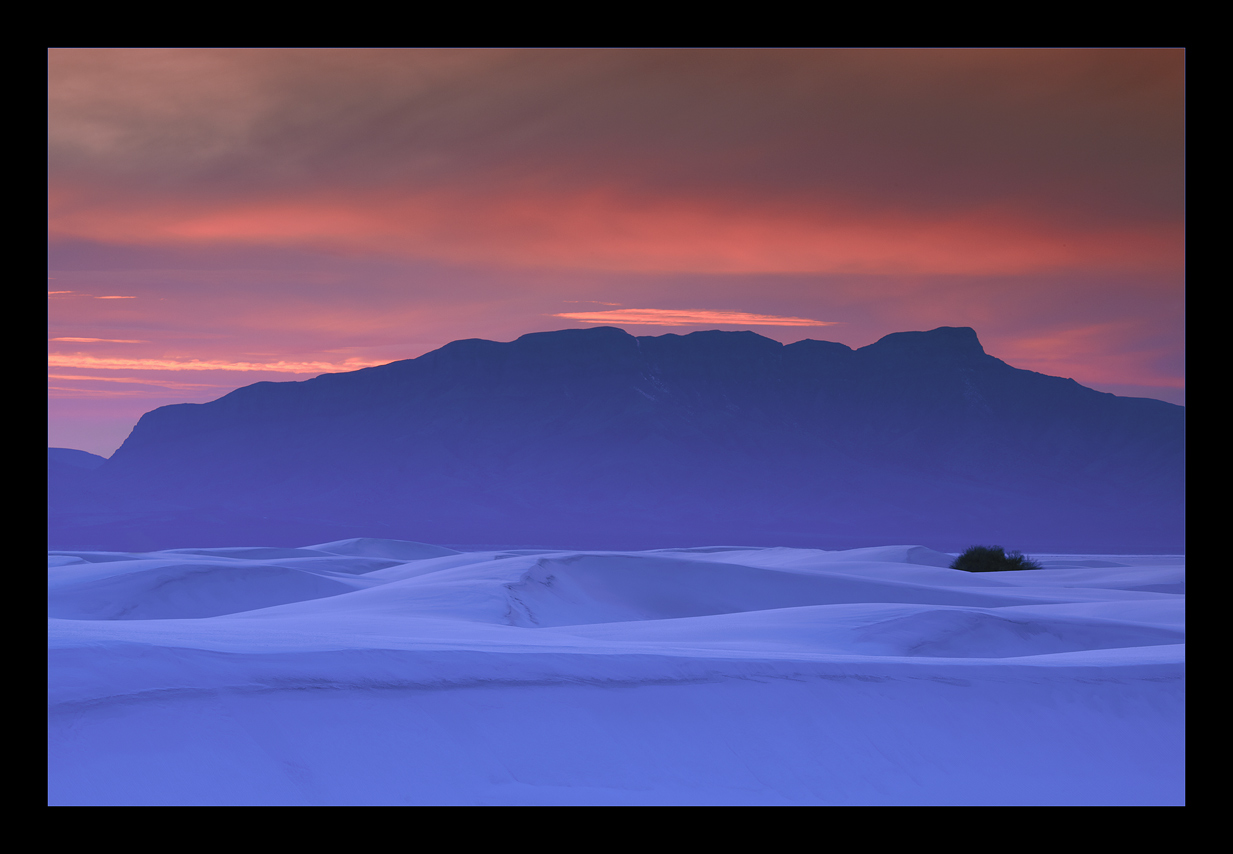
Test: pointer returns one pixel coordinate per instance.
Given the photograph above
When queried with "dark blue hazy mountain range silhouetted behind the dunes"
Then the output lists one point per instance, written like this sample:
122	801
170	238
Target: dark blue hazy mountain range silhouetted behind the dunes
594	438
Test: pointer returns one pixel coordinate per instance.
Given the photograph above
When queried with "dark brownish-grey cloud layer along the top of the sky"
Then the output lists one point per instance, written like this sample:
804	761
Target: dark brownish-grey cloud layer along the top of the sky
1096	134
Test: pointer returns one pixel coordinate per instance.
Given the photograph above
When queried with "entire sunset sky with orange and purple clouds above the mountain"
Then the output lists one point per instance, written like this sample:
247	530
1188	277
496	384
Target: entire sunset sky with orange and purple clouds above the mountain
220	218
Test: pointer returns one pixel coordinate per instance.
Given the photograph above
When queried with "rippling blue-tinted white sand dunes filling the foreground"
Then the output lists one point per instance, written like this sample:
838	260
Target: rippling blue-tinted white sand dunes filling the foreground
379	672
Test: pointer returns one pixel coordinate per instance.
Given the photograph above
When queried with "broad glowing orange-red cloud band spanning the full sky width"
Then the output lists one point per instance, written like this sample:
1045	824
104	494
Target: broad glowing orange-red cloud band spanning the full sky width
615	232
